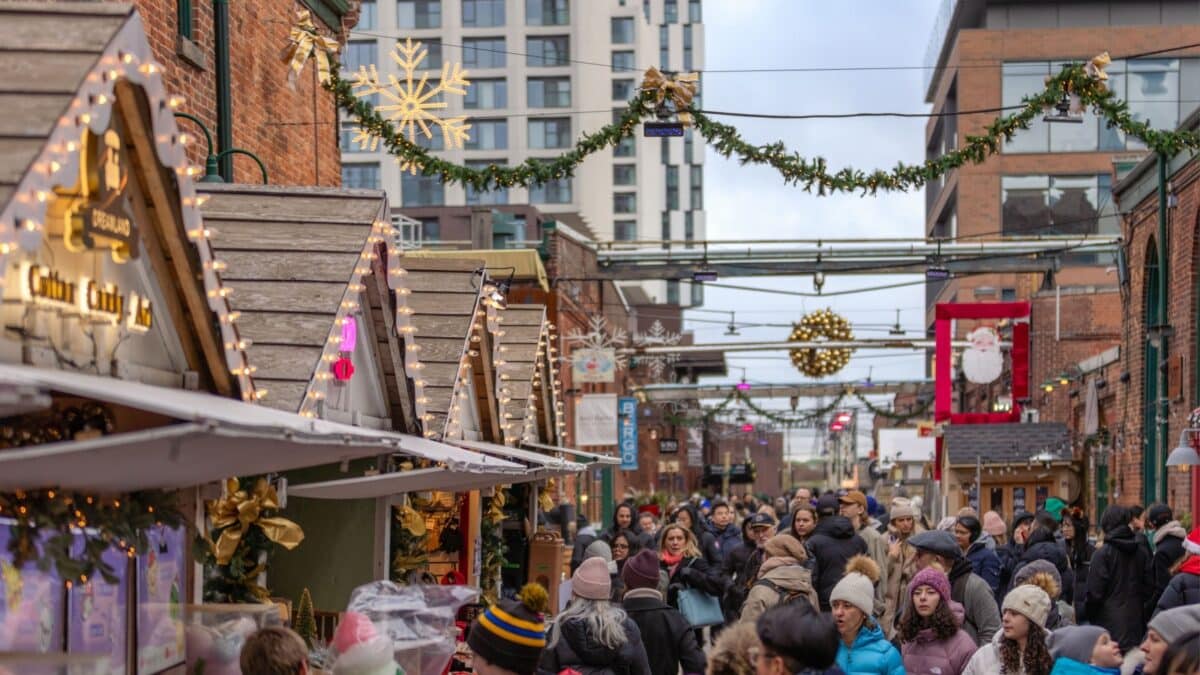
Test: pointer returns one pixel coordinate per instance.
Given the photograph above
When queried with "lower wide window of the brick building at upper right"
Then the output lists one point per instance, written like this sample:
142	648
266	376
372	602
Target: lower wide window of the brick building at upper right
1058	205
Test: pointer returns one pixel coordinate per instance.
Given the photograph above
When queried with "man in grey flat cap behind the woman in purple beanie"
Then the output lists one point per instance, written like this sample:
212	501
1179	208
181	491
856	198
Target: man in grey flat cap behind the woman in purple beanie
981	616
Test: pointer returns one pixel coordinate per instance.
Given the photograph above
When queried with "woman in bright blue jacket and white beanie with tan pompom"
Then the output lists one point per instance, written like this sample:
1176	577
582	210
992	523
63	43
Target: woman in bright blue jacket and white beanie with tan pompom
862	650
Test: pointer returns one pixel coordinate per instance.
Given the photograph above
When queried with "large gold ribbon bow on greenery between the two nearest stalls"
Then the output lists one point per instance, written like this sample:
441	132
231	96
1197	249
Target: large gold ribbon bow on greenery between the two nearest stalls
238	511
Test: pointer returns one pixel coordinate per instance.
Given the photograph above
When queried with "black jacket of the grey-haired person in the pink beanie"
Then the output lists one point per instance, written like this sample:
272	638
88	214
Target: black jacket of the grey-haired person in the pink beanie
578	650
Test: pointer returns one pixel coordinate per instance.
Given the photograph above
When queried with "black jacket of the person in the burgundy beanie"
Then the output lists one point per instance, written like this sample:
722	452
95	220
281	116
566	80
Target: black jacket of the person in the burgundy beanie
673	641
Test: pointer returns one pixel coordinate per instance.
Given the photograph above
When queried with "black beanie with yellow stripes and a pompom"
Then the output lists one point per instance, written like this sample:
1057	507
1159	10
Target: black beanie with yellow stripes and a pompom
511	635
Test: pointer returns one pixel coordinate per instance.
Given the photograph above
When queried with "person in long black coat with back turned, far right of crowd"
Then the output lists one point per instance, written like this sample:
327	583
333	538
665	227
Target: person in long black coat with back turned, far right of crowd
1119	581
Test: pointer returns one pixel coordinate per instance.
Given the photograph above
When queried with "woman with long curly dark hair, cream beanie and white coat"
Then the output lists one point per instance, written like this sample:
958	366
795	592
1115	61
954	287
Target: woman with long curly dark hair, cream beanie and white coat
1021	648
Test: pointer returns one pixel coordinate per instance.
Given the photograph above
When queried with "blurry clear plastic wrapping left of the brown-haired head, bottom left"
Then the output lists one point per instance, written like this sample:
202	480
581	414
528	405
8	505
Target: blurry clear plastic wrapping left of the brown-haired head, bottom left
215	634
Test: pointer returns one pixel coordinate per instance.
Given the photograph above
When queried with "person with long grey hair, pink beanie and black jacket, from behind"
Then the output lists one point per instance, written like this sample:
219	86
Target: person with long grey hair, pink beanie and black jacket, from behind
592	634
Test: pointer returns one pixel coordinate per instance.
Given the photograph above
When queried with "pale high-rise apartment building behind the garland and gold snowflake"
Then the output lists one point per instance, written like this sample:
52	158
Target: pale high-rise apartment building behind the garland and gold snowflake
543	74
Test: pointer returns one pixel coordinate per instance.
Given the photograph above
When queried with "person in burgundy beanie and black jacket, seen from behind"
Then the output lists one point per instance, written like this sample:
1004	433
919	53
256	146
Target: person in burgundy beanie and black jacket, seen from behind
673	643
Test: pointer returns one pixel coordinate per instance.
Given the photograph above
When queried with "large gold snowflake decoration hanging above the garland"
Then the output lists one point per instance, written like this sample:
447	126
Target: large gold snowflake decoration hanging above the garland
412	104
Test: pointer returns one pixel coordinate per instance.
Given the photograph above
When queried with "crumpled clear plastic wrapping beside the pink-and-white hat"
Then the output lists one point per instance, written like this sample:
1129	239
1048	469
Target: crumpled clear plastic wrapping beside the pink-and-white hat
418	620
